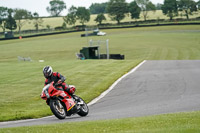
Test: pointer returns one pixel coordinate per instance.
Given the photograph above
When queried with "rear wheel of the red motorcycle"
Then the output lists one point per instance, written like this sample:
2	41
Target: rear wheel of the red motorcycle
84	110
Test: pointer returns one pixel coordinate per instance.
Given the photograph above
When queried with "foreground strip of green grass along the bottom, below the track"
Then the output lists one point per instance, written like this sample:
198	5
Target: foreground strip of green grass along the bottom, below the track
167	123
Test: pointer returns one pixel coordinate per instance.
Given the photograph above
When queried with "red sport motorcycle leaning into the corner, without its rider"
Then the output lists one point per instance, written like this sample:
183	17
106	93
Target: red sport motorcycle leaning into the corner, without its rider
61	103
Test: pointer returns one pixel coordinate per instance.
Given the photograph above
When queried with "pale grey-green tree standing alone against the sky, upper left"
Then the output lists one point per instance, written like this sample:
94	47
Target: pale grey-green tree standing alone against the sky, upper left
56	7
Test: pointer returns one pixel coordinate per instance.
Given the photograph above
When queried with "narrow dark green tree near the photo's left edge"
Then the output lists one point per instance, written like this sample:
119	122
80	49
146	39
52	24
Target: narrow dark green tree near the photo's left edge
10	21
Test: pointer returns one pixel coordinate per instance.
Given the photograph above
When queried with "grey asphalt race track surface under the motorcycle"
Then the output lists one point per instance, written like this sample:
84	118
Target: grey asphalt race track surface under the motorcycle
155	87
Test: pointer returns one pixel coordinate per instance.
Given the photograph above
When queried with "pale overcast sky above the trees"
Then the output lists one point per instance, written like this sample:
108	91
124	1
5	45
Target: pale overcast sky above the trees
39	6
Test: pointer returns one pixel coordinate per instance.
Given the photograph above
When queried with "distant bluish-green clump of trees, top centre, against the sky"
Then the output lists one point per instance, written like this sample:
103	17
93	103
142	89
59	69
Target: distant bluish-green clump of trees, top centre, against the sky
98	8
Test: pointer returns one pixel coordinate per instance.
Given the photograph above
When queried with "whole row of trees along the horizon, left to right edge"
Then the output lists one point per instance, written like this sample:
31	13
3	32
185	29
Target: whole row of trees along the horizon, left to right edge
116	9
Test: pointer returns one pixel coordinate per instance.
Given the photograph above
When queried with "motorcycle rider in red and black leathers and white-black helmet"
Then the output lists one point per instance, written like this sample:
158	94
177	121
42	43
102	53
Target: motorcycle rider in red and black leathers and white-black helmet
57	78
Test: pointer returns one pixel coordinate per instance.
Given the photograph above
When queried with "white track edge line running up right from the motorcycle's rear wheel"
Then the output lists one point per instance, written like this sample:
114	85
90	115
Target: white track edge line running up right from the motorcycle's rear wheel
114	84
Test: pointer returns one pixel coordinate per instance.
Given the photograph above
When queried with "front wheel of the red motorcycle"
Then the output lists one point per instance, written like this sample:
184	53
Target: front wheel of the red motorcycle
57	109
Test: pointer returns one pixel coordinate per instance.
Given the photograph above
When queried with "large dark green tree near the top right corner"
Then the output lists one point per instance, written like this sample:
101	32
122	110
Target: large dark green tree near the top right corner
187	7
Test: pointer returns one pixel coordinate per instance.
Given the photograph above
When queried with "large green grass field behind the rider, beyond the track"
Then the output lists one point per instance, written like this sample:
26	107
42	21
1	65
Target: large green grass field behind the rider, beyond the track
21	82
